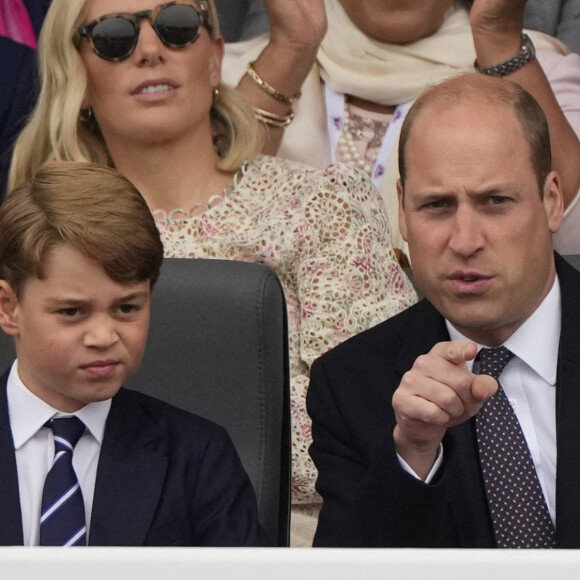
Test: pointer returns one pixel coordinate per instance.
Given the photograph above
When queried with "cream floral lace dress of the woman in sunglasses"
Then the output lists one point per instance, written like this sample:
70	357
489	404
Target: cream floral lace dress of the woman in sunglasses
327	237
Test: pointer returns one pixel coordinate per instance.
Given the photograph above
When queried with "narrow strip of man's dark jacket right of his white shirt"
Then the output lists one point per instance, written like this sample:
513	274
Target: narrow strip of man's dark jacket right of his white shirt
568	410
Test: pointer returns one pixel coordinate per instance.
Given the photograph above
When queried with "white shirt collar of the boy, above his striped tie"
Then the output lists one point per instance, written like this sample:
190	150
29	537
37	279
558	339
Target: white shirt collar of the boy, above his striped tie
28	413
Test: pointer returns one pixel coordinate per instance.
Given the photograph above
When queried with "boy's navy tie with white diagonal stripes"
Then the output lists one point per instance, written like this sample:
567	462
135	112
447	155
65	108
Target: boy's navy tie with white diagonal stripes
62	520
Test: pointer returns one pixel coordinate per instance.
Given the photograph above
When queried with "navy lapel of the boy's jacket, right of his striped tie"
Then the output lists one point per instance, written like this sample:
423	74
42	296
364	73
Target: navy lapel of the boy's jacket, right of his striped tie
132	467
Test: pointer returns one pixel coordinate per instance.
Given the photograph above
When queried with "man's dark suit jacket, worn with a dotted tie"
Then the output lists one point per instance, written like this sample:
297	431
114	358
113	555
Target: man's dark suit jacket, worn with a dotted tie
369	500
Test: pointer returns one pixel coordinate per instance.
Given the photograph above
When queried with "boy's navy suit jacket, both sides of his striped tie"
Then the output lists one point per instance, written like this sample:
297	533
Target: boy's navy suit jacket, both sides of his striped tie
165	478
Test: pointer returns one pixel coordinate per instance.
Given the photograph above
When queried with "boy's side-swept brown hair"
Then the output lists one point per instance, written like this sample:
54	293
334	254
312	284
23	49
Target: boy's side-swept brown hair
93	209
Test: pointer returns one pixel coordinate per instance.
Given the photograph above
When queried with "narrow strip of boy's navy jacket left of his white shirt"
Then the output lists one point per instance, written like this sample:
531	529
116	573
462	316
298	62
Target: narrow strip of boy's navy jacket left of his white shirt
11	520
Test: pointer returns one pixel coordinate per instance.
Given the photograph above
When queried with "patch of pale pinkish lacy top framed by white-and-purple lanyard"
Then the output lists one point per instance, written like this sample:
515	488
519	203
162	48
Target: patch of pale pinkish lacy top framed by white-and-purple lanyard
356	129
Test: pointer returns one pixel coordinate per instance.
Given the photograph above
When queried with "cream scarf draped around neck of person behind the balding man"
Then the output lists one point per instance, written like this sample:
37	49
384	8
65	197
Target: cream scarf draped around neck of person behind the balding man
391	74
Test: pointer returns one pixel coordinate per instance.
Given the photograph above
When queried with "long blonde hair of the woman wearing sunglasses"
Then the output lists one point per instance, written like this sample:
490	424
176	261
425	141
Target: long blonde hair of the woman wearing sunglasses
55	130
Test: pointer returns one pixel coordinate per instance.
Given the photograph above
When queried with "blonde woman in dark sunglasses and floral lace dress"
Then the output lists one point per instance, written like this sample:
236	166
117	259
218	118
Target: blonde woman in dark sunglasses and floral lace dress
143	92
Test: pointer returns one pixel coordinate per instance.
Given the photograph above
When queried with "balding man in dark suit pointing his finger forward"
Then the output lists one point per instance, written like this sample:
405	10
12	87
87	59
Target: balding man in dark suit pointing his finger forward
397	409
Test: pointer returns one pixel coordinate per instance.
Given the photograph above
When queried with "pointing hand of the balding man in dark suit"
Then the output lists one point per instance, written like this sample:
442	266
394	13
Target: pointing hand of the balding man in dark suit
438	392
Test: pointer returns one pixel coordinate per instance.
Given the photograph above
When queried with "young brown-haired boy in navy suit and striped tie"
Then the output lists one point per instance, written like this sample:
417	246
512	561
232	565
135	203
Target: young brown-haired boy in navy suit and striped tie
79	256
